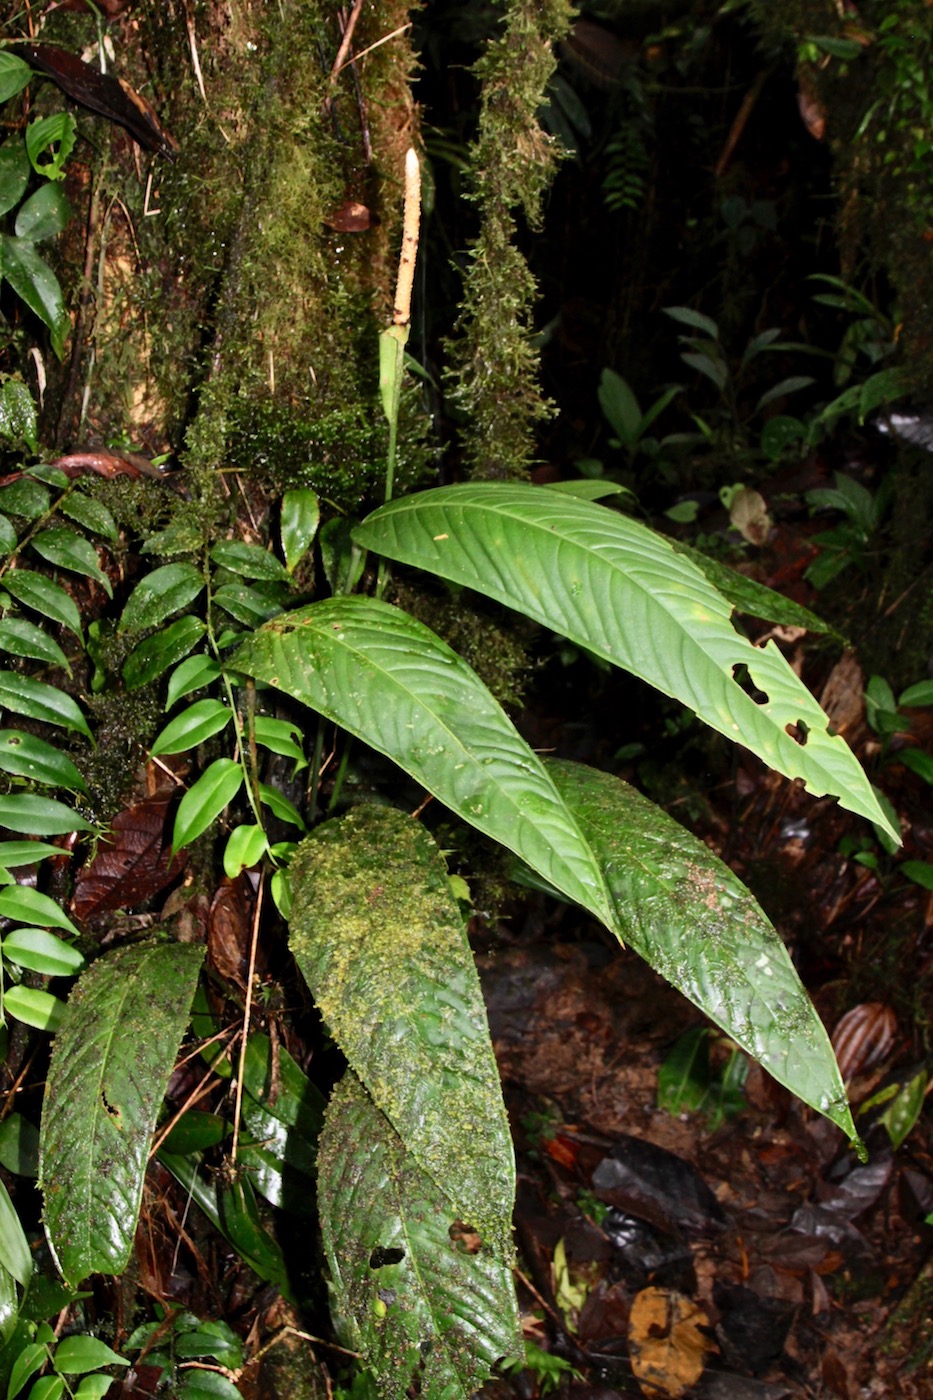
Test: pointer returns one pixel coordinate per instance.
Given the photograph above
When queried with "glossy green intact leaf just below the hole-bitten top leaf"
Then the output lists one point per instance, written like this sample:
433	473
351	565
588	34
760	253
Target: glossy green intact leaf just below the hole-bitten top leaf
390	681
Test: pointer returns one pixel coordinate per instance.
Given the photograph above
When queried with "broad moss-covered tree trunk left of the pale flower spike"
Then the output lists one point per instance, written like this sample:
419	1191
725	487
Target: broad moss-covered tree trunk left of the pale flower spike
232	297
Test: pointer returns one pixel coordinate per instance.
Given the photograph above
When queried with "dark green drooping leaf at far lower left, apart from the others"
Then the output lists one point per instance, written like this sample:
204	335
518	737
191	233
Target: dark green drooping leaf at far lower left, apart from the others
110	1067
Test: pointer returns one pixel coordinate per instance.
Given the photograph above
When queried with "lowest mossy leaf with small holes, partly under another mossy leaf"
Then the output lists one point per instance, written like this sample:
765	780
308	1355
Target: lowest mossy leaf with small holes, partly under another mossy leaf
406	1290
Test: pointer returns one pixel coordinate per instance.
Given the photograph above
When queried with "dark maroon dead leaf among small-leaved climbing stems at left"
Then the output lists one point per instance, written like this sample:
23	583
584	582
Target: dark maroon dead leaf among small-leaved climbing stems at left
132	863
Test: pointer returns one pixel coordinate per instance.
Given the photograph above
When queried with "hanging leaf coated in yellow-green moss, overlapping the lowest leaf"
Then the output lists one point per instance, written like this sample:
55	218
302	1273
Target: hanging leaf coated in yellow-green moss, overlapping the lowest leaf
379	939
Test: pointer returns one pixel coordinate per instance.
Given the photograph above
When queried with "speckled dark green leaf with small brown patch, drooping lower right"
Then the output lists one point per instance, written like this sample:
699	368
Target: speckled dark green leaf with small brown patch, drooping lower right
697	925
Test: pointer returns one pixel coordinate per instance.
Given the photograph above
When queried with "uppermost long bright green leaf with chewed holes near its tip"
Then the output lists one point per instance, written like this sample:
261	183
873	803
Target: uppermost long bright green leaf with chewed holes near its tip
616	587
